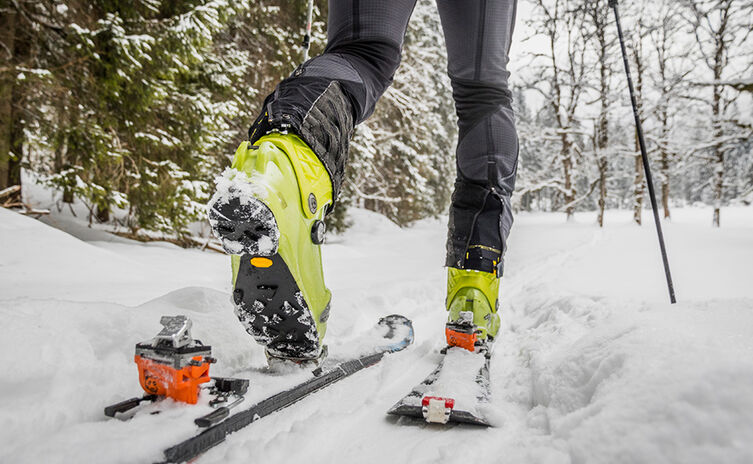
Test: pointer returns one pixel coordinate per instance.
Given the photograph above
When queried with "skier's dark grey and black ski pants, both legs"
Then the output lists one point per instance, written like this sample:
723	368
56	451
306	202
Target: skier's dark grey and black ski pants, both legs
328	95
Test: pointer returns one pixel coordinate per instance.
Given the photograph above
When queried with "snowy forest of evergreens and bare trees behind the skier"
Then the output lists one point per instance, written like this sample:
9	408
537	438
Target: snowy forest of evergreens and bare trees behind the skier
133	107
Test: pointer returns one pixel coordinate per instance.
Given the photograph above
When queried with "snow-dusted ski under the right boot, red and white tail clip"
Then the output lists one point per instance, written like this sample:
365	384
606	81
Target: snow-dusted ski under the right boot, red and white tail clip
456	391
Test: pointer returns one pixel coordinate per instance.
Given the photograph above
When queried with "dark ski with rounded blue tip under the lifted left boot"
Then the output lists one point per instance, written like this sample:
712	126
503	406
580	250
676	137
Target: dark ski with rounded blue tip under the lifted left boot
398	335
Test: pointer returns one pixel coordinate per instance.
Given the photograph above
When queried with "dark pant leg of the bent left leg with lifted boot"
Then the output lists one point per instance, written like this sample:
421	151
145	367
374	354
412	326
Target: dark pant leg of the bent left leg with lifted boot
325	97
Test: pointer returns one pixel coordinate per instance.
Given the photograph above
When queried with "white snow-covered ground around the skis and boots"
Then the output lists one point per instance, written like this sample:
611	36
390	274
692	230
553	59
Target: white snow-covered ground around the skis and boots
592	363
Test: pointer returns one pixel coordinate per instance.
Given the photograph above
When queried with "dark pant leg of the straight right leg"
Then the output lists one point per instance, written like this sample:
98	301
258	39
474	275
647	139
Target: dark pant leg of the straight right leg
478	35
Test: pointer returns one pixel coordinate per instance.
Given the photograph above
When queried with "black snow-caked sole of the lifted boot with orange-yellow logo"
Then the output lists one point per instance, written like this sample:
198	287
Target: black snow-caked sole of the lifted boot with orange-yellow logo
268	301
